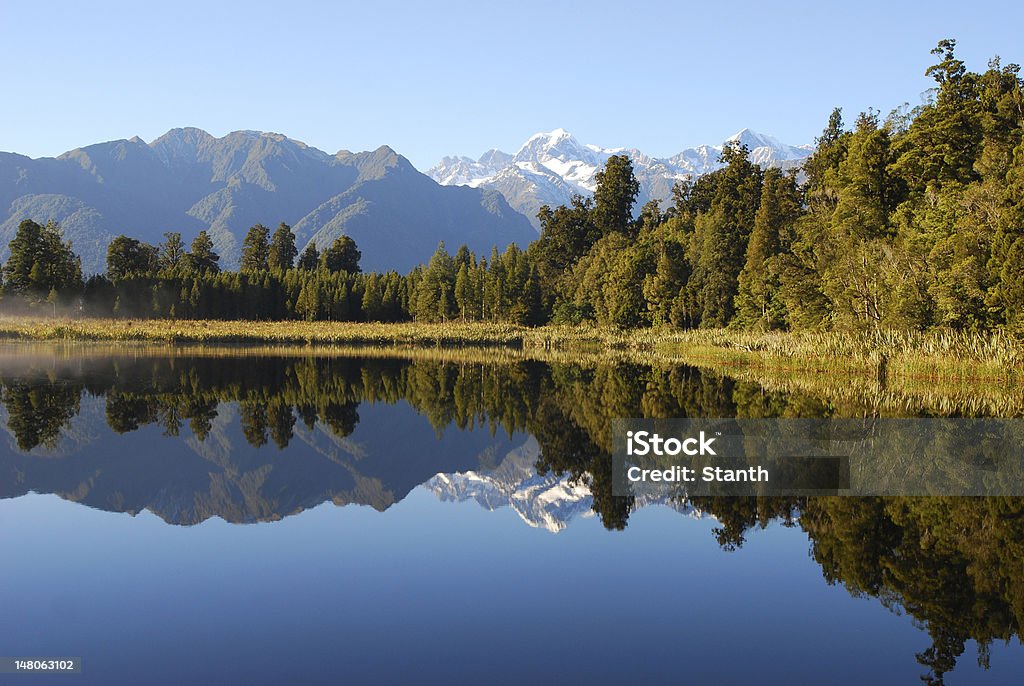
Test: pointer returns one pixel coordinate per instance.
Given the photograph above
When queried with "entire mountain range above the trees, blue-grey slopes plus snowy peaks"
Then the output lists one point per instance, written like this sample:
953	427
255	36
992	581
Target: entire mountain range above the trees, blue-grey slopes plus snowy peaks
189	181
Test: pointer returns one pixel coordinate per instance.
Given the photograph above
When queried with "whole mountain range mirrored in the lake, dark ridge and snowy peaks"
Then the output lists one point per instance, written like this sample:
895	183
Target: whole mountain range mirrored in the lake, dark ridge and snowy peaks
394	450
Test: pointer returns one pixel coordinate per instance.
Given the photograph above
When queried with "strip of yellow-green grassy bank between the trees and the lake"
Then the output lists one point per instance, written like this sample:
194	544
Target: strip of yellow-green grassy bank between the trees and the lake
877	356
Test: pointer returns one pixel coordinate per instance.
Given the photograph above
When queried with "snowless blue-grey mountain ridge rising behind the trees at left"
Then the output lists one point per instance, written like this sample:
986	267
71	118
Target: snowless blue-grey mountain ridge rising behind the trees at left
189	181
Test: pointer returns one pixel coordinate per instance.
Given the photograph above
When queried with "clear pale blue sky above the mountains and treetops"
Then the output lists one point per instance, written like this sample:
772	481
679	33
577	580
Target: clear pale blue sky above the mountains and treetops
442	78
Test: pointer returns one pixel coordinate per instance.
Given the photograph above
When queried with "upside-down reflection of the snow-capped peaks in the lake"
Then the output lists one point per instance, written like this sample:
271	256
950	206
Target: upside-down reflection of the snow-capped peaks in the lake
549	502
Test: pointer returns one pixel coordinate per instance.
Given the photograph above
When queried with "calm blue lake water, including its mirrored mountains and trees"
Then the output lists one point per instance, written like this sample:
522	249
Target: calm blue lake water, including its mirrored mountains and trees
186	517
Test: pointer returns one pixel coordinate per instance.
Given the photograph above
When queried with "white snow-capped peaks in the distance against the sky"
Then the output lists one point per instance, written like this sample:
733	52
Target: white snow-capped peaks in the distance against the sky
550	168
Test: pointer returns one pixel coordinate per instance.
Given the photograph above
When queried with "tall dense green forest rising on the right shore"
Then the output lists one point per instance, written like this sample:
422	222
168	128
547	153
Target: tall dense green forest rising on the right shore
914	223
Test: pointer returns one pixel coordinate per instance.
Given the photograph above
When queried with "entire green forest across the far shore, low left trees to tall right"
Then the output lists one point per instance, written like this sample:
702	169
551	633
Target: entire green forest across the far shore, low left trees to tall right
911	222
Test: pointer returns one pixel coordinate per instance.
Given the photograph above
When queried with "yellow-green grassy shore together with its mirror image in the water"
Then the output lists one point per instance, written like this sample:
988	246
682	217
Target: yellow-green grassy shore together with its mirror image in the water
943	371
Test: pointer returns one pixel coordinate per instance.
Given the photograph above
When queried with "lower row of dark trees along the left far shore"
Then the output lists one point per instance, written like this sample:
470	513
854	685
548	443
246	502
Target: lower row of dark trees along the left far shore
274	281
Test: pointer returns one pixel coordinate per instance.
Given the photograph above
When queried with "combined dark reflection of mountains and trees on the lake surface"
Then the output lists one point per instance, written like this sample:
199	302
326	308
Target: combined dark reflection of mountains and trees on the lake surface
250	439
